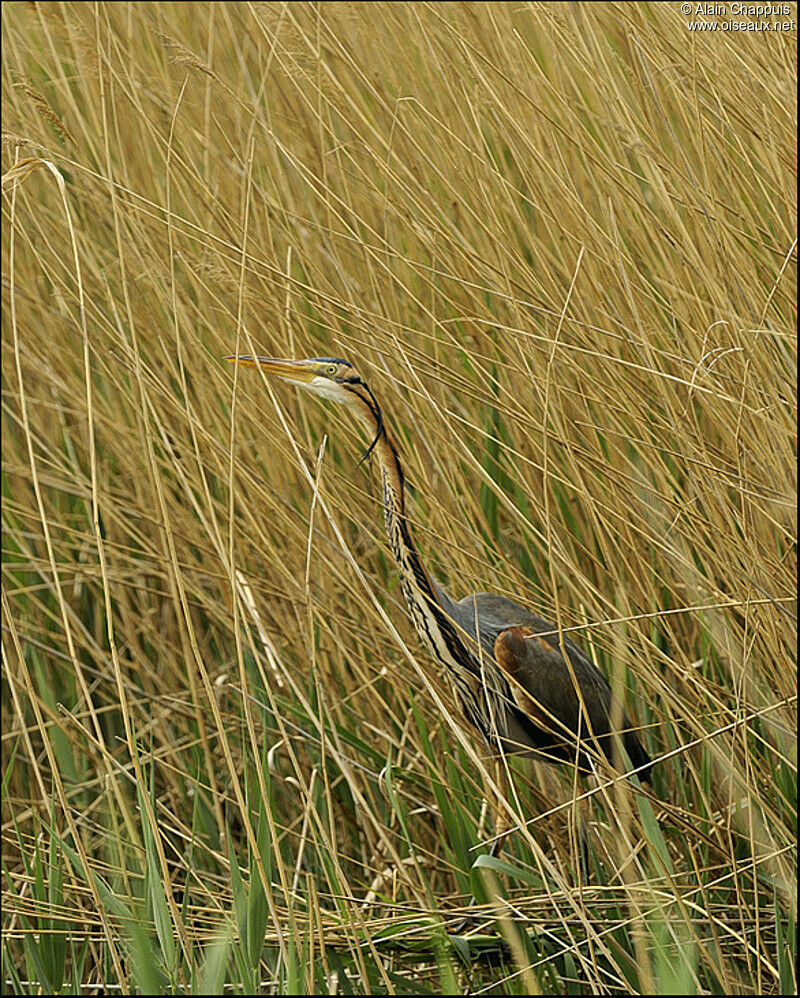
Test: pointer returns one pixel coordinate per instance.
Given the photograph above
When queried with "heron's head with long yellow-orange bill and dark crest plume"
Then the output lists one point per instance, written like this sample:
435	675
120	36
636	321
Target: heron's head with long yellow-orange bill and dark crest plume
328	377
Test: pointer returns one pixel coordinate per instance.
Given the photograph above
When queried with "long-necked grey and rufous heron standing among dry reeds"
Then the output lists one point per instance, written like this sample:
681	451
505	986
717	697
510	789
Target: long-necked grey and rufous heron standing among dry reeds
505	663
